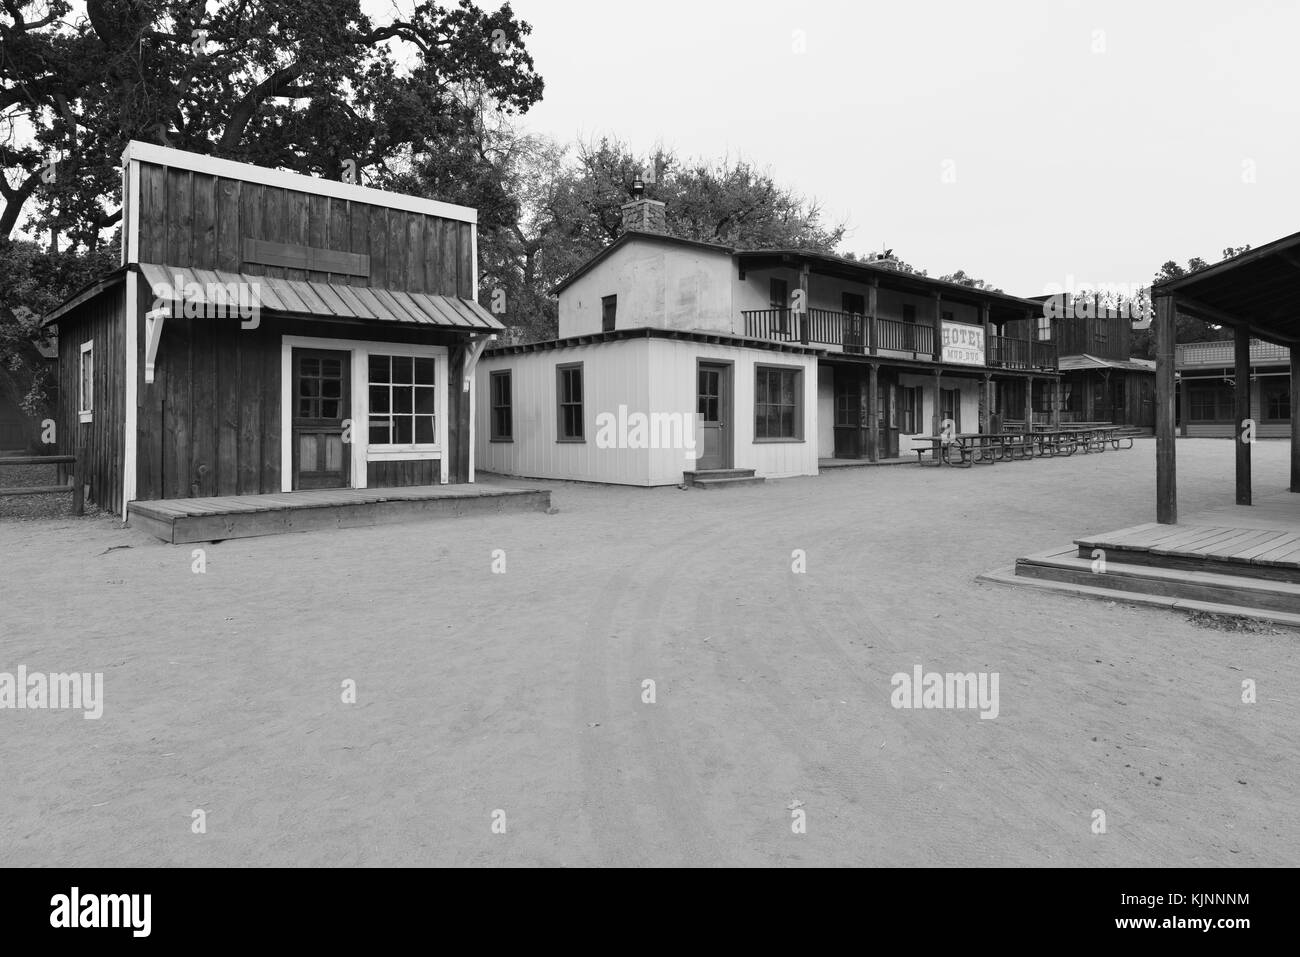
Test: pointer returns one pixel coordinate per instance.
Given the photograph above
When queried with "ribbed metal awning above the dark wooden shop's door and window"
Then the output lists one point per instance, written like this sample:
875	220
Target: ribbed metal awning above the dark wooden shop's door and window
213	289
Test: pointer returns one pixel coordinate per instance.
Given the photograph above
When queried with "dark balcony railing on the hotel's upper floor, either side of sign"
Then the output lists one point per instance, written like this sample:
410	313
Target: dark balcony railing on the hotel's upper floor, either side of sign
861	336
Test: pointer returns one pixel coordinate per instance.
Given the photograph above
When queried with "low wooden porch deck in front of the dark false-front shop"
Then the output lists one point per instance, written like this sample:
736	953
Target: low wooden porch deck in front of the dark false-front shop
180	521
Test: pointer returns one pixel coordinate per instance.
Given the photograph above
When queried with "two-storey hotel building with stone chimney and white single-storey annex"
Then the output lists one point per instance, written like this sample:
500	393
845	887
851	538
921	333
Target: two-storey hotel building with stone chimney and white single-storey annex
783	360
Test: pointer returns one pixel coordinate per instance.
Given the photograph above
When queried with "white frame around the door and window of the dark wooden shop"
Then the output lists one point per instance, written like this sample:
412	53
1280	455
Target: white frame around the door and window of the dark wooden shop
359	410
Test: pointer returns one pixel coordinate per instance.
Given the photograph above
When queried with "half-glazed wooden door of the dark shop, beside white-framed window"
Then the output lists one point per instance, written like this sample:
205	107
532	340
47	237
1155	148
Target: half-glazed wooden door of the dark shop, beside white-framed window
323	400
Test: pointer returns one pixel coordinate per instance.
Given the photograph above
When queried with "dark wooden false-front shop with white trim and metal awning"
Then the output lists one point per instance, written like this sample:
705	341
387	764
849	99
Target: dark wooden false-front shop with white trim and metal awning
270	332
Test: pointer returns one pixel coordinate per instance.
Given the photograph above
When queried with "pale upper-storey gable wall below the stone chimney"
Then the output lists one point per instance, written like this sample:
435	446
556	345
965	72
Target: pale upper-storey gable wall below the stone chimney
658	284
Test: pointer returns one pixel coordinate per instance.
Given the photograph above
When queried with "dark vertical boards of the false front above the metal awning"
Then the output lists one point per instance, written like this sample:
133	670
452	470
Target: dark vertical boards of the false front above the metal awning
202	222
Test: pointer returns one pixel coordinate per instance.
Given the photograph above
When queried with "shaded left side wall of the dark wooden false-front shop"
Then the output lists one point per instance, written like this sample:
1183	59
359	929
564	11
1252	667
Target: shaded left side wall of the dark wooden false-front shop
101	440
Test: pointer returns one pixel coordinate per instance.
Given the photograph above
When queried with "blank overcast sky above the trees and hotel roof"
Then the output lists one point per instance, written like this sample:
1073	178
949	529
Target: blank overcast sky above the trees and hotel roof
1086	138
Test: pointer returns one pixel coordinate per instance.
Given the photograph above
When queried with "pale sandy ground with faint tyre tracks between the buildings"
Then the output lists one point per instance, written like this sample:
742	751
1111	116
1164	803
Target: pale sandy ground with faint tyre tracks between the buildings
523	692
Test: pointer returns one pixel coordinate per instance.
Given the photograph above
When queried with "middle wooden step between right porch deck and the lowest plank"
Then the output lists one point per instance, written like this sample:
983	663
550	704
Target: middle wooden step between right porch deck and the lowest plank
1067	566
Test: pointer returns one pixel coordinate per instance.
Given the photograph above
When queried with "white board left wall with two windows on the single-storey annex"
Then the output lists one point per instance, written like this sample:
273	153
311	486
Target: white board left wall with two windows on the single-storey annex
614	374
